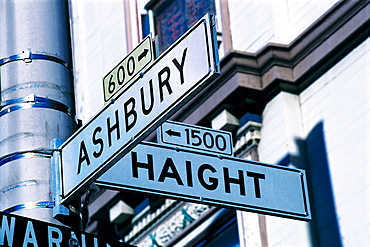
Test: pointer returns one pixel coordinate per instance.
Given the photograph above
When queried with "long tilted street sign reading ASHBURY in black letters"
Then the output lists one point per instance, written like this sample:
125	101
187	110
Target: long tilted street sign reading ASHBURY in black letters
168	83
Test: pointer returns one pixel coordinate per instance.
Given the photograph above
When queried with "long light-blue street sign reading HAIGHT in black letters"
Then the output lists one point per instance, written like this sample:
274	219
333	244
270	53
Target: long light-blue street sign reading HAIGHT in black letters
212	179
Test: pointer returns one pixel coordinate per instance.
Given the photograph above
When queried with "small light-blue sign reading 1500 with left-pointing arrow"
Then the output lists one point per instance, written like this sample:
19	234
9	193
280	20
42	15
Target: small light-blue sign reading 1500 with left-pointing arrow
195	137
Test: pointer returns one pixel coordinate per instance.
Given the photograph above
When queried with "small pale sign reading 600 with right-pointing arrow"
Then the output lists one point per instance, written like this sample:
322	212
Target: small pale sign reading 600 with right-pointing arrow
130	66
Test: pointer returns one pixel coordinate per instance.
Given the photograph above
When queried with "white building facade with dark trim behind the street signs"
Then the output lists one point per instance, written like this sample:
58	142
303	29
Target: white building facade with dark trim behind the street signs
294	90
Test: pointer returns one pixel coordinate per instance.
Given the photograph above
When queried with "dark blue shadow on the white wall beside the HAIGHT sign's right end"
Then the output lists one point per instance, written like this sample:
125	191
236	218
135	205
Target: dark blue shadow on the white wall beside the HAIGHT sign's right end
312	157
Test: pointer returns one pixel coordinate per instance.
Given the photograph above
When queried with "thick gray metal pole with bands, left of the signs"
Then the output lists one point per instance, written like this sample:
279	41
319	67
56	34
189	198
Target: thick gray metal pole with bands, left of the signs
37	101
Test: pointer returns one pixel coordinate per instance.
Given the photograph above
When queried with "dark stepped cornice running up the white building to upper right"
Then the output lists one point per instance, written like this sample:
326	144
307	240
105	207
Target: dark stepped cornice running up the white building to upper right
250	80
